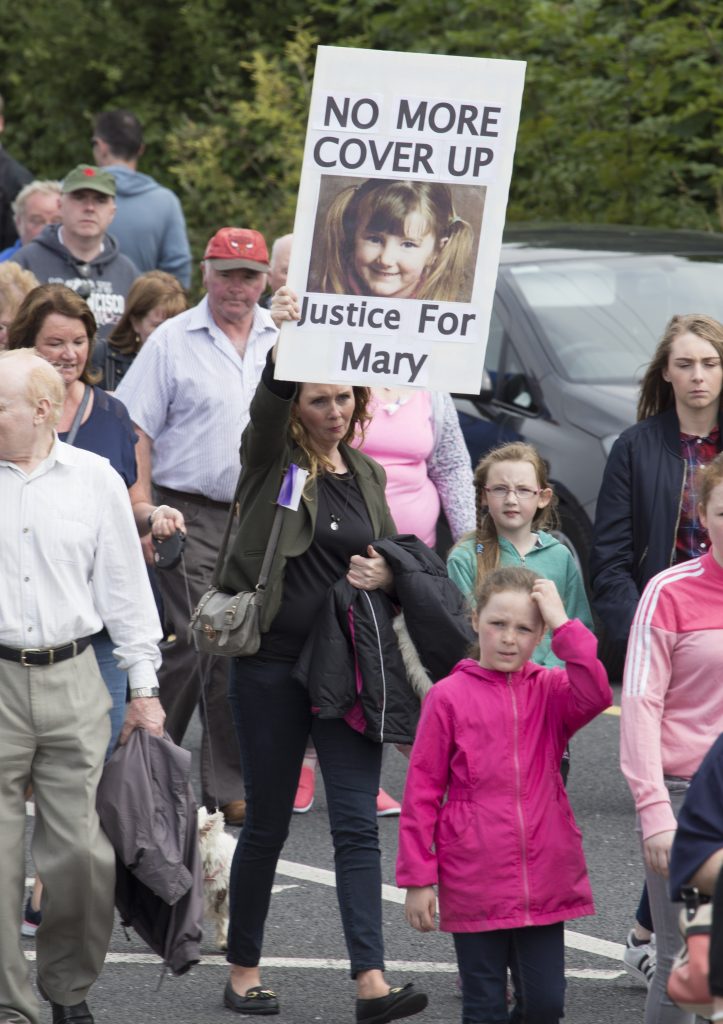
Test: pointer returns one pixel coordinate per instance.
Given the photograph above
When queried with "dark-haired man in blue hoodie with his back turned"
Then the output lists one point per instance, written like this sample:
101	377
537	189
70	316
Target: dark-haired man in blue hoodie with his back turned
149	226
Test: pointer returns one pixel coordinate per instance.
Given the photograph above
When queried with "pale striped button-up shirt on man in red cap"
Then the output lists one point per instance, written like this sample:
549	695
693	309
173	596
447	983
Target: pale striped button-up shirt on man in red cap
190	392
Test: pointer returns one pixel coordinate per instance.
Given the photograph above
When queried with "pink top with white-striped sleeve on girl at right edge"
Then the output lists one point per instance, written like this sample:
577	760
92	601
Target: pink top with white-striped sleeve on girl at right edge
673	686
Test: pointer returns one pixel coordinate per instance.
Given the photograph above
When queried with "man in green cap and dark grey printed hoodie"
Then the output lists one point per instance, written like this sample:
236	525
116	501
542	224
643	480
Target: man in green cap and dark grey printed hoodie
79	252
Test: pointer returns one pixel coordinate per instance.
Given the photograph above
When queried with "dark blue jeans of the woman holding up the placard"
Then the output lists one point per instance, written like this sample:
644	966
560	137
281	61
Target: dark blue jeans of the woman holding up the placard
274	719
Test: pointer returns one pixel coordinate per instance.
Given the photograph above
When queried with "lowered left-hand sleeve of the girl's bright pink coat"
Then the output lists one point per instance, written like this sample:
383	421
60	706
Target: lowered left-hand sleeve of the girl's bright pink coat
428	781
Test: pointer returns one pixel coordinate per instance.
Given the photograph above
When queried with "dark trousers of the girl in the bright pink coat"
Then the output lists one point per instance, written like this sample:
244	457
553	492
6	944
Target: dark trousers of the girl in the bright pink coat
537	958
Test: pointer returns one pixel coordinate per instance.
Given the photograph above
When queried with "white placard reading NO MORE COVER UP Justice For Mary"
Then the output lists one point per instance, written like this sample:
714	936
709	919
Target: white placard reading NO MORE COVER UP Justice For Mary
400	219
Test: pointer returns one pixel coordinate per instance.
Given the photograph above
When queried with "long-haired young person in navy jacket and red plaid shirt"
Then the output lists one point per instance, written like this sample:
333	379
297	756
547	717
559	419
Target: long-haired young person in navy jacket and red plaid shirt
648	510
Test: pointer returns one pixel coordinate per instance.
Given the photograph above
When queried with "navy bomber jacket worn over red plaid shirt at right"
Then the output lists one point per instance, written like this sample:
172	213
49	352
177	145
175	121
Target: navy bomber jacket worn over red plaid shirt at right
637	518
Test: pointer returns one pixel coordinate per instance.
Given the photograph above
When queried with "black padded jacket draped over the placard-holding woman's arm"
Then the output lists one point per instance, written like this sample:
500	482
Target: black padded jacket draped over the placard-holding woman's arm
354	652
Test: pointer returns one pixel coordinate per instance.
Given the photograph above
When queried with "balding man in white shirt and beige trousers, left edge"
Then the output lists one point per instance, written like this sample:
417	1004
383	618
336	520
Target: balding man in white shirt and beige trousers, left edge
70	561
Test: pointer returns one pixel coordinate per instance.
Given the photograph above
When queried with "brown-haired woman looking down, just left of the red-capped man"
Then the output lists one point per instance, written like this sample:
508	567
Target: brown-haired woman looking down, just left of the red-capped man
154	297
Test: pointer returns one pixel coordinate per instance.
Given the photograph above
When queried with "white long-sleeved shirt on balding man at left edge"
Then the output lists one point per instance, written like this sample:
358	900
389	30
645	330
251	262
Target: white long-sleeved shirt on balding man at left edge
71	561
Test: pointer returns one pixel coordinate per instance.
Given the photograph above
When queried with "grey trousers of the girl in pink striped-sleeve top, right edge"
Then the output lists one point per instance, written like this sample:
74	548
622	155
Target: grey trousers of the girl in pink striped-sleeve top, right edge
659	1009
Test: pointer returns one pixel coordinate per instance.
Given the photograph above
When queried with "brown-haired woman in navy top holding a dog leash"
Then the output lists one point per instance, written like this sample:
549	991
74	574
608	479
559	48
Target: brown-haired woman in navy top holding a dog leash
60	326
